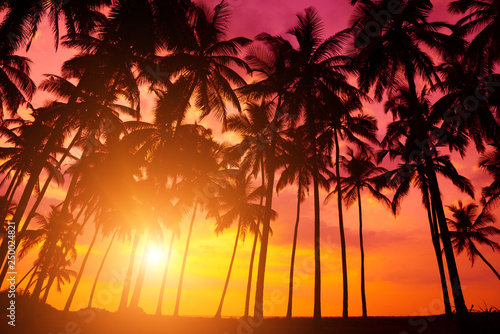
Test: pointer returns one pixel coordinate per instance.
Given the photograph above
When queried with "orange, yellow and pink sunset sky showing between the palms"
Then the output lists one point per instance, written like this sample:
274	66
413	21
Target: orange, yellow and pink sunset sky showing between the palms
401	270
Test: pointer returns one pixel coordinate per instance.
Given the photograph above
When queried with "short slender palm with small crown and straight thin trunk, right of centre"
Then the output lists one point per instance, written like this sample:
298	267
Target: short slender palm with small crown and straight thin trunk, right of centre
362	174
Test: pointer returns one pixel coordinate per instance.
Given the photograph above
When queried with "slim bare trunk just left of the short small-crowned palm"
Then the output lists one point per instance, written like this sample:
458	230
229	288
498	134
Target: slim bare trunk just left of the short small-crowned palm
341	227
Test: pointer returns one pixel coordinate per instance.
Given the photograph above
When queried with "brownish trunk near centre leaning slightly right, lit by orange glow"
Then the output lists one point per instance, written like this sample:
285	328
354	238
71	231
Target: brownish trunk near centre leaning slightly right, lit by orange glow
266	226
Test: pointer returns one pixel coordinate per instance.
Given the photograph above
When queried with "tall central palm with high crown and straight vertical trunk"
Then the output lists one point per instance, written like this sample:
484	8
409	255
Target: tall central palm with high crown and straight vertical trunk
321	72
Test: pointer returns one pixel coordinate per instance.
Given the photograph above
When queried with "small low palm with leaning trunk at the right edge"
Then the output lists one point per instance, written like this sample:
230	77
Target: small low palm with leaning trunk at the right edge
468	228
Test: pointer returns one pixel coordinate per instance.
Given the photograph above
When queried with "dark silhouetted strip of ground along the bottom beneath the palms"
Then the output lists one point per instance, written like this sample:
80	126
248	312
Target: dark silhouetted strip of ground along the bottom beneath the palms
94	321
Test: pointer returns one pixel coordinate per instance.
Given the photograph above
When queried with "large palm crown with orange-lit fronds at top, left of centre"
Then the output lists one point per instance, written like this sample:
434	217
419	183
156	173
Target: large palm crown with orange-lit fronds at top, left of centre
202	68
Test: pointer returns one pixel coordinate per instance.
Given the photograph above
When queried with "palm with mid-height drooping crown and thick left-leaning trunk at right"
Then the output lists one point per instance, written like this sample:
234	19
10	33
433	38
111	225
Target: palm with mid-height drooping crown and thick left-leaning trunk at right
420	149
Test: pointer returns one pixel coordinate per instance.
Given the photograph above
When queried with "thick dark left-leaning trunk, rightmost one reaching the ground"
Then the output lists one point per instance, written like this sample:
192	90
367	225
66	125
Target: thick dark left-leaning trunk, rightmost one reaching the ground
445	238
